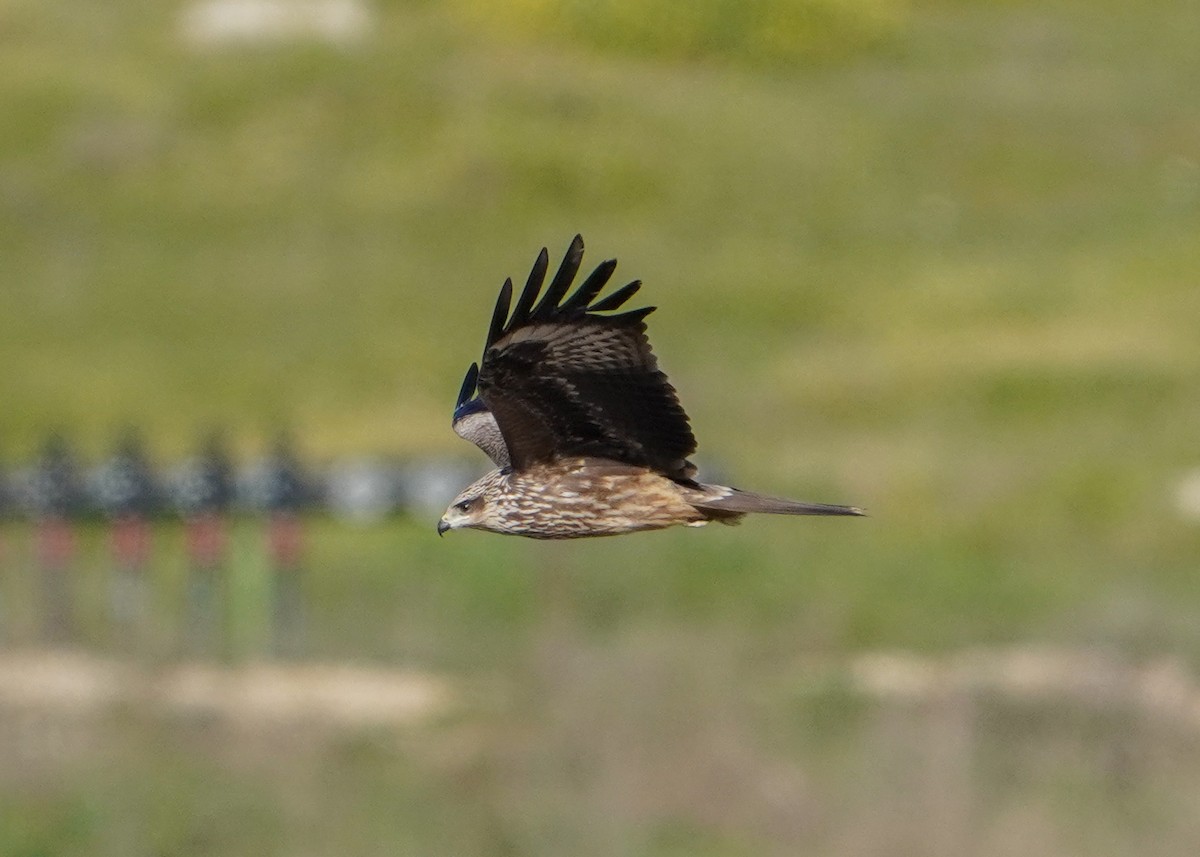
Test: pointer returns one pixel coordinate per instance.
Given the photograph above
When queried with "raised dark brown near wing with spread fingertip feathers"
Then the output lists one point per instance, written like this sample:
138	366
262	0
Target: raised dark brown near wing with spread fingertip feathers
562	380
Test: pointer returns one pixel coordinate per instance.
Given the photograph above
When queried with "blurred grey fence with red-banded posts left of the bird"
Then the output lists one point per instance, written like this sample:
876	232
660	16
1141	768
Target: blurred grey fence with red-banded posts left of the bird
49	504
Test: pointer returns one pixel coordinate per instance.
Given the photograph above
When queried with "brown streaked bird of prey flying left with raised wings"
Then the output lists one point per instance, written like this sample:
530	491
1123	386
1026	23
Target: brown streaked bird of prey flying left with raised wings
587	435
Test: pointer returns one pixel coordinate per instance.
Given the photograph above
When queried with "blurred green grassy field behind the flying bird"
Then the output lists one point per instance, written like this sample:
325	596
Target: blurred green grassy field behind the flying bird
938	259
